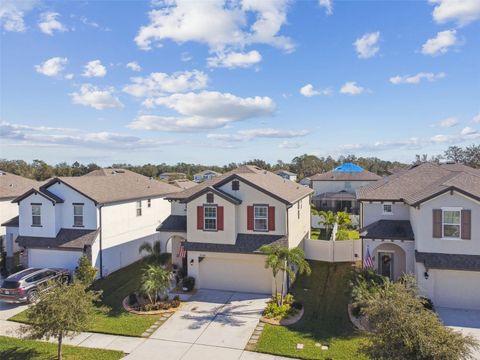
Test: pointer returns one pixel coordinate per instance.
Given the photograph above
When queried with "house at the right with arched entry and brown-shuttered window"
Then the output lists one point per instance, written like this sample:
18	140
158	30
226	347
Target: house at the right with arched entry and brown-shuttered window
426	221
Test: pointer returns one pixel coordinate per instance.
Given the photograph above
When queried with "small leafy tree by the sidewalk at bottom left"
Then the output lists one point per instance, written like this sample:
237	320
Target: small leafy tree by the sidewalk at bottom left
62	311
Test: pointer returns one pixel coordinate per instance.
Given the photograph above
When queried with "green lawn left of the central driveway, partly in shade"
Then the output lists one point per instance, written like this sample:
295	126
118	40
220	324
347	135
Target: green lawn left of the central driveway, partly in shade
116	321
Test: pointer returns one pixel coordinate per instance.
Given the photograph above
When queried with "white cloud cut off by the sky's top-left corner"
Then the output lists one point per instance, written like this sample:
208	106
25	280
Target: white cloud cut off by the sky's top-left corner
12	13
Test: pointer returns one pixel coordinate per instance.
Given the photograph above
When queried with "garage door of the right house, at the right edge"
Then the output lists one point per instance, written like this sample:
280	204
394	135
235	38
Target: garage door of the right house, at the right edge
457	289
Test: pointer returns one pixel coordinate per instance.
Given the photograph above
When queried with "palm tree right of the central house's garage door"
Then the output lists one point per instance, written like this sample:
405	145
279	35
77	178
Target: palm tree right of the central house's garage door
281	258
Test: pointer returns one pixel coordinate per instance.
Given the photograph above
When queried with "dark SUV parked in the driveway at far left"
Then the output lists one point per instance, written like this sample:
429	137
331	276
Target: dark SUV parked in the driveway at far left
25	285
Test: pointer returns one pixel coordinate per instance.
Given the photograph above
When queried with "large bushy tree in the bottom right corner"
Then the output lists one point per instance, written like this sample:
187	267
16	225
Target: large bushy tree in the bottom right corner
402	328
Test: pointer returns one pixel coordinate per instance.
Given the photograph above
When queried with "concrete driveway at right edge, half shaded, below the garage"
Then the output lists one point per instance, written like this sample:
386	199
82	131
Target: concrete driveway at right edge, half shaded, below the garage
465	321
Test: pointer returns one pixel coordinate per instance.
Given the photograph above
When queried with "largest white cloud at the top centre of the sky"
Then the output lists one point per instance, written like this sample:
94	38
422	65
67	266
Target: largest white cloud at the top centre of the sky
183	21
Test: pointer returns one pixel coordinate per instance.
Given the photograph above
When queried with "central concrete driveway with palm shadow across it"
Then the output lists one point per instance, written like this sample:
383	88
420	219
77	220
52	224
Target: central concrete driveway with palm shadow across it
211	325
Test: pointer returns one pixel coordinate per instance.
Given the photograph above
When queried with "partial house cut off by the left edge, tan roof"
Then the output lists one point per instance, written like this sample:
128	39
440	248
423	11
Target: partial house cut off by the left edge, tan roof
11	186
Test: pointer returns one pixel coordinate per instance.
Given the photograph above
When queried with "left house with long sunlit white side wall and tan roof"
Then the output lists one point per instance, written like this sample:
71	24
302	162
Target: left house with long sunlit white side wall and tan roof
106	215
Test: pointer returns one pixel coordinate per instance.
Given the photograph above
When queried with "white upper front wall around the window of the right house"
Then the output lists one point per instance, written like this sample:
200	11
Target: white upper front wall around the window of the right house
422	224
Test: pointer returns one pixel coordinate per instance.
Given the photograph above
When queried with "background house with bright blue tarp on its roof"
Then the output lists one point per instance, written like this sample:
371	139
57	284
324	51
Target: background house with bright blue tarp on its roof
335	189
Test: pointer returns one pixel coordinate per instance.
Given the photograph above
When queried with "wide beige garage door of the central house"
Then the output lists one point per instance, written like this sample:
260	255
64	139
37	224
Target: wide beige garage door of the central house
247	274
